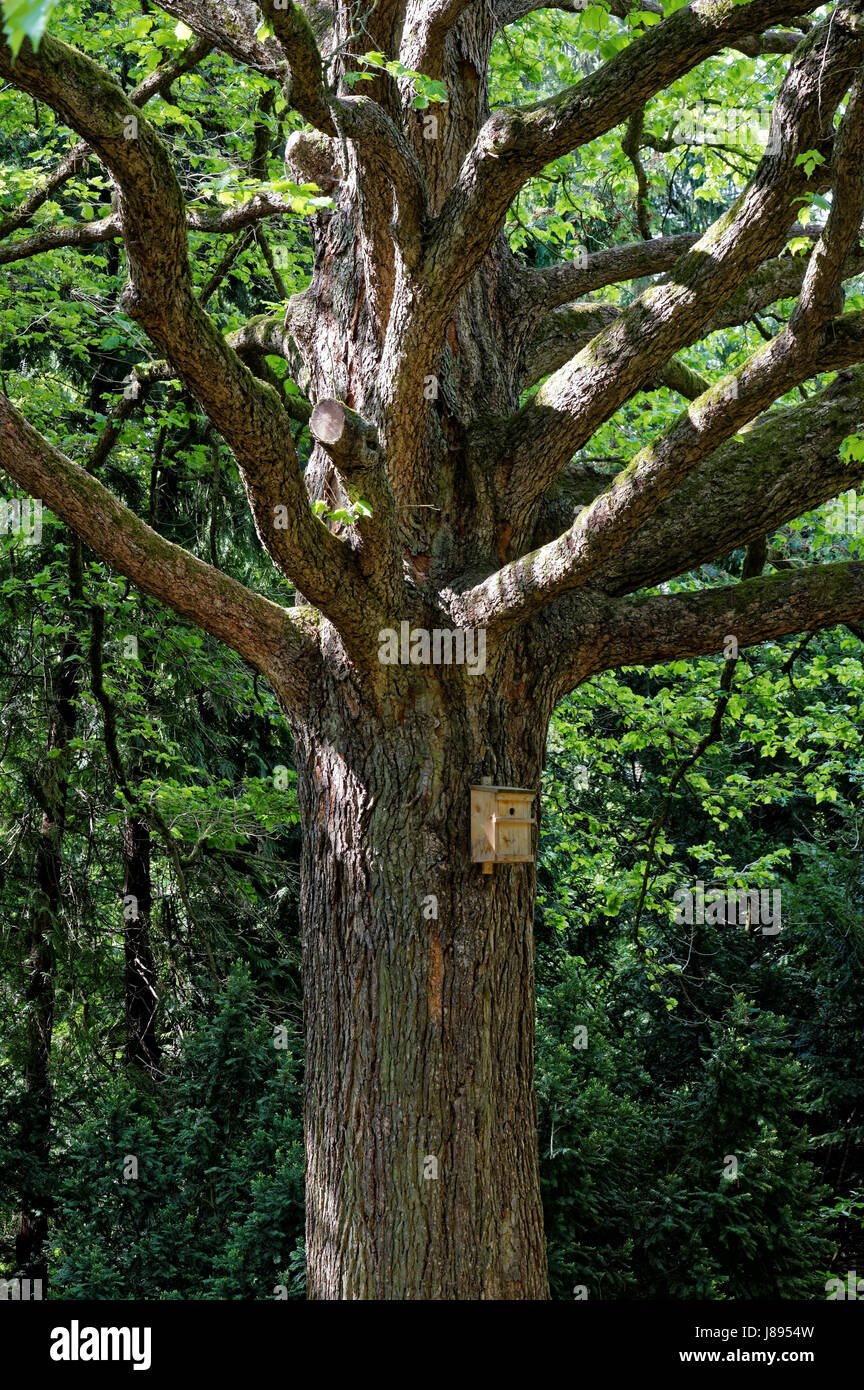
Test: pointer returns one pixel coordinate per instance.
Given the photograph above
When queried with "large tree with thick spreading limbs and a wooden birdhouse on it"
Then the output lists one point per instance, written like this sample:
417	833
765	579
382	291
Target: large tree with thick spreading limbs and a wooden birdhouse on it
449	387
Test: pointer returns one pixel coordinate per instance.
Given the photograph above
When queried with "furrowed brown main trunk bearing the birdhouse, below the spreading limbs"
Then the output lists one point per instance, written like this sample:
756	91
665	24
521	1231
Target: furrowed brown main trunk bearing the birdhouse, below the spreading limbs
419	976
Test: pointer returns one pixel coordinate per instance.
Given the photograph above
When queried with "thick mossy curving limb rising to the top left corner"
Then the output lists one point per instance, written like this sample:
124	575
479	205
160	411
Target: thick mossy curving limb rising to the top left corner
160	297
